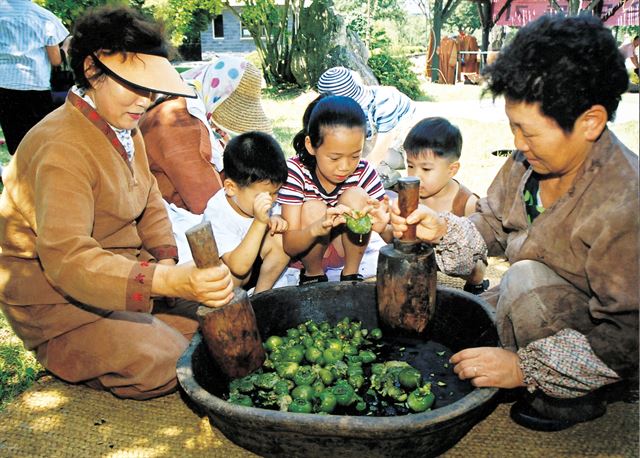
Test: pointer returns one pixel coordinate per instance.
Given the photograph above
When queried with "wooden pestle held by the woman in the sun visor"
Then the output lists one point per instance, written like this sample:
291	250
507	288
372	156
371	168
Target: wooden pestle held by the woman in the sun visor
230	332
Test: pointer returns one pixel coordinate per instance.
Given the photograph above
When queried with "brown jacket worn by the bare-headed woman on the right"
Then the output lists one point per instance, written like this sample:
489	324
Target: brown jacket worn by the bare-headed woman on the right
589	237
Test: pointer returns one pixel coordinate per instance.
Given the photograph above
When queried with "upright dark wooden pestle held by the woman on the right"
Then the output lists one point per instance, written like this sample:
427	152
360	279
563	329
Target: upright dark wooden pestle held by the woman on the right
407	271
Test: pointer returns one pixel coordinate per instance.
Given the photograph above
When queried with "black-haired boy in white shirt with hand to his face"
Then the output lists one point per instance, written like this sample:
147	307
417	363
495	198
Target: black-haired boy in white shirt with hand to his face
241	213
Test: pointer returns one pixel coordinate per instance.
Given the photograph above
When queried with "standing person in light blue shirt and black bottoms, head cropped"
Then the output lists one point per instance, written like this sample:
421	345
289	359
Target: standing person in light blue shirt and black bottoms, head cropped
29	39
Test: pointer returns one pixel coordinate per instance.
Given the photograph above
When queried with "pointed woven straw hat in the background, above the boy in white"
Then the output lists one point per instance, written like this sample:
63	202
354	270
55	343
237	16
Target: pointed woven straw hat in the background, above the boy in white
242	111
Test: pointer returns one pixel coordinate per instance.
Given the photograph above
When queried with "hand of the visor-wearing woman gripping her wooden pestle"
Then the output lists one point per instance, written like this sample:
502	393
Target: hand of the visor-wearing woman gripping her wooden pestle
212	286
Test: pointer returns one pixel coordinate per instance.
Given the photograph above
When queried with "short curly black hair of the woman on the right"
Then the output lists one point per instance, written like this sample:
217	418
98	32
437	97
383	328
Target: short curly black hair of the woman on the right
567	64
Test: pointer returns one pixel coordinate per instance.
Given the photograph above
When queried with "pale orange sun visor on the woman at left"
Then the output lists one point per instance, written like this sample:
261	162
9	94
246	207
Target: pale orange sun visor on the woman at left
148	72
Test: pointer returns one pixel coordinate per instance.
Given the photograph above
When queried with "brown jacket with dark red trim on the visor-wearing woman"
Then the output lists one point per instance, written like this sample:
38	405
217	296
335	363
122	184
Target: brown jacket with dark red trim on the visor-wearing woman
78	225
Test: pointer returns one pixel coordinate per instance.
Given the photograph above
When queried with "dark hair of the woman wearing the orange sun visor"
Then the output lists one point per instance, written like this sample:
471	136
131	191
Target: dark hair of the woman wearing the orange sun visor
113	29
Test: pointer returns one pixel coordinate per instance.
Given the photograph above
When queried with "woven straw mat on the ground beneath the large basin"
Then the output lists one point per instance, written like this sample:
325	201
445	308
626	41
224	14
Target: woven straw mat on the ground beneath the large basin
55	419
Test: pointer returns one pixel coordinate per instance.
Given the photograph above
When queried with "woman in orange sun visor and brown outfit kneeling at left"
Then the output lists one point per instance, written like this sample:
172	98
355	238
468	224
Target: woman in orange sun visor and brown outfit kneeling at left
87	258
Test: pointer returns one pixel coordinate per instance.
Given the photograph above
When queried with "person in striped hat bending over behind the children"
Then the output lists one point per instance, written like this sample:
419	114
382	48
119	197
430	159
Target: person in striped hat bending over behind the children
389	114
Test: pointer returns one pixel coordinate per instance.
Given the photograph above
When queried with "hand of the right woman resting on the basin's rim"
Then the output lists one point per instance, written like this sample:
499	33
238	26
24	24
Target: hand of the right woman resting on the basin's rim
489	367
